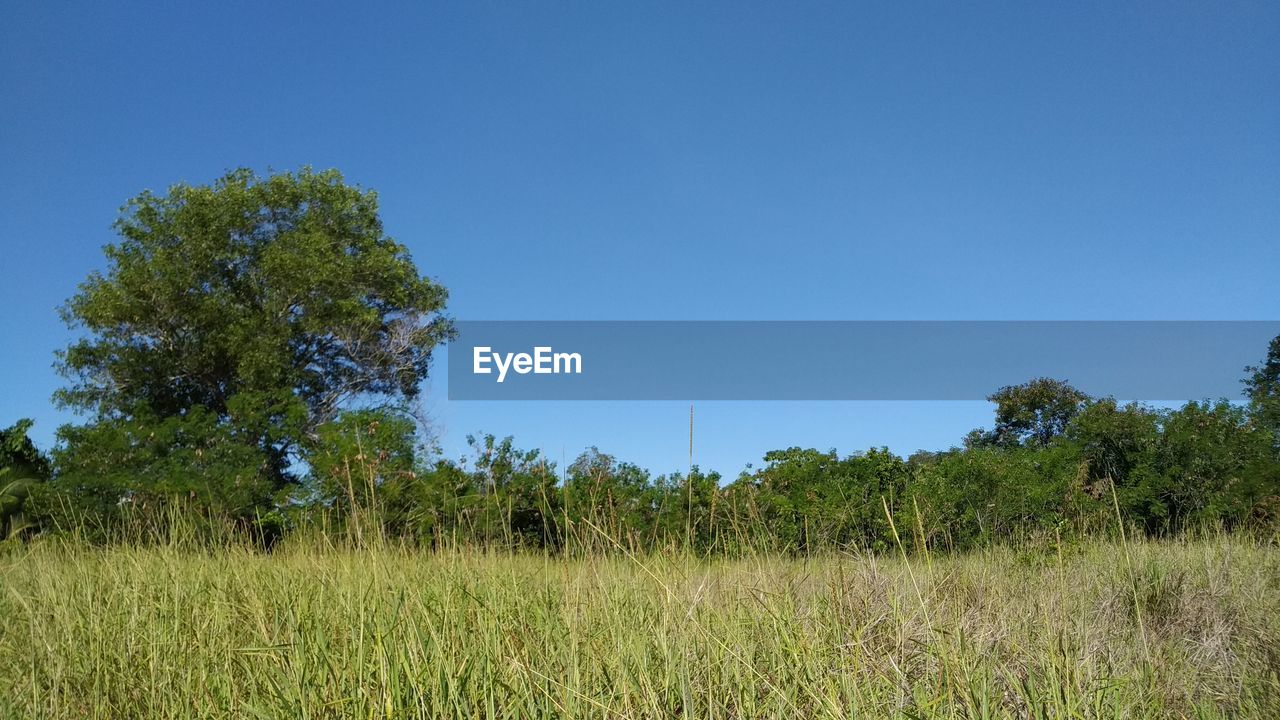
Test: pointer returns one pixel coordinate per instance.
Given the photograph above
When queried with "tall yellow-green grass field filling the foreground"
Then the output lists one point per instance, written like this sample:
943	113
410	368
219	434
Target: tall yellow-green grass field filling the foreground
1090	631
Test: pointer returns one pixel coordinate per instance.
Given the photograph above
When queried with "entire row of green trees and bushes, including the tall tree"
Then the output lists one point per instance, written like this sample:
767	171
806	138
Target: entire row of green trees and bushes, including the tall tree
254	350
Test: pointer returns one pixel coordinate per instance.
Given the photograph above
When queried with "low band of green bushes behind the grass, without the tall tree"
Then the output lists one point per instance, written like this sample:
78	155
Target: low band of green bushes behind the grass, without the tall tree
1055	463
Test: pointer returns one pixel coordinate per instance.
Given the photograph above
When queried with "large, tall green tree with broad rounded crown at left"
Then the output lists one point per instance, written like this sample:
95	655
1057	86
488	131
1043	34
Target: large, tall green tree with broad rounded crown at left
236	320
